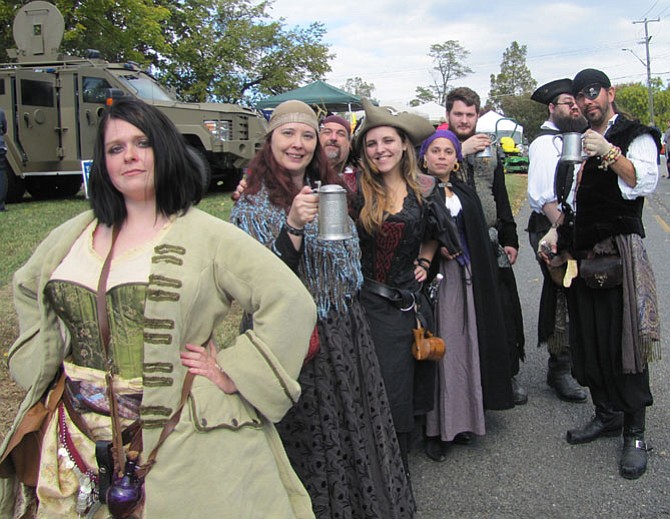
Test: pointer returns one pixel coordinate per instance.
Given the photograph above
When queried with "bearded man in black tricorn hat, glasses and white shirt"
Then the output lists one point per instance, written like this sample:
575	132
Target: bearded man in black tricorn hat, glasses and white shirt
564	116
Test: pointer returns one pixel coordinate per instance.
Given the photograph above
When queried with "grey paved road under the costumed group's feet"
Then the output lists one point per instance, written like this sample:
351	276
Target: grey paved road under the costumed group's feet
523	467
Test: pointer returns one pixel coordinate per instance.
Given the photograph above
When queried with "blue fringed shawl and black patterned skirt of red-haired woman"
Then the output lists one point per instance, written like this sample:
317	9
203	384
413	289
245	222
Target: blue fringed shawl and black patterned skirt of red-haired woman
339	437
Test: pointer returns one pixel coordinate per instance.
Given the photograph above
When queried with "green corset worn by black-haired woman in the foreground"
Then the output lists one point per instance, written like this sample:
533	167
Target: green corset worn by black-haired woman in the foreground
76	306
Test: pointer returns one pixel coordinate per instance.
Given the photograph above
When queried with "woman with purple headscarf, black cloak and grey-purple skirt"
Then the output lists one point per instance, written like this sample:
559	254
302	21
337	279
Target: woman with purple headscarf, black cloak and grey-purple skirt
476	363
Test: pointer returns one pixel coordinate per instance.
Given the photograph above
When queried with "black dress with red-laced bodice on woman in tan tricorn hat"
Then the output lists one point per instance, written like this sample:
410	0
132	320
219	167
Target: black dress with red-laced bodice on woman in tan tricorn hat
388	257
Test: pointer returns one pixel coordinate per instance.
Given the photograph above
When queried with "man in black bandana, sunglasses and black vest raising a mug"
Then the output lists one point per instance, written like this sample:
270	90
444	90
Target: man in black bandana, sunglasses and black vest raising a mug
612	302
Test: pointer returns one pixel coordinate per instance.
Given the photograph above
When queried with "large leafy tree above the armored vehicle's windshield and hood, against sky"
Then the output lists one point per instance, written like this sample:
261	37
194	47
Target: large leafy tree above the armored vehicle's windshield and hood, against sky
238	54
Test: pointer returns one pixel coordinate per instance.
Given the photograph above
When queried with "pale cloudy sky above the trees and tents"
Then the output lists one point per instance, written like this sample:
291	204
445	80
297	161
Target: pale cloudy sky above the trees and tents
386	42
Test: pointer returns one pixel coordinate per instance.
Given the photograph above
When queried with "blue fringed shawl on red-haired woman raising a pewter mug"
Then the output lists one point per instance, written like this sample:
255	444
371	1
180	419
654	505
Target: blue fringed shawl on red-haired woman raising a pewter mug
331	270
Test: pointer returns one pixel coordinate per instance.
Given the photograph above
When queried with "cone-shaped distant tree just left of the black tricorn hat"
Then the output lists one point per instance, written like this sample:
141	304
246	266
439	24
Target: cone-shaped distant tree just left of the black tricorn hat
514	78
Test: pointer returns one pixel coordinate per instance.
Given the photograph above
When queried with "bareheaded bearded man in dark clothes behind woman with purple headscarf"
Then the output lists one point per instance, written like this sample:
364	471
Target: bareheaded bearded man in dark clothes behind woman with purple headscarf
486	176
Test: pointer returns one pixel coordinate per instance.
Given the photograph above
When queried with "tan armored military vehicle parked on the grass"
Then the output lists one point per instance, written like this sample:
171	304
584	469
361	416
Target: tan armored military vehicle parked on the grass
53	103
